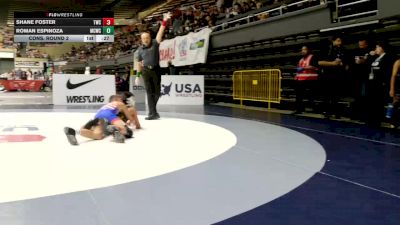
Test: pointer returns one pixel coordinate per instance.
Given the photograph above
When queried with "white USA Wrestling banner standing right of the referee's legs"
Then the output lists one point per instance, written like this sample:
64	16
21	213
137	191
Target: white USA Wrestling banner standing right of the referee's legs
182	90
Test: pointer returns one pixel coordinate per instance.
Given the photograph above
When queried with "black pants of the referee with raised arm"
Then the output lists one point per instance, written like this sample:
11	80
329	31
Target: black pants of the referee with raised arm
152	82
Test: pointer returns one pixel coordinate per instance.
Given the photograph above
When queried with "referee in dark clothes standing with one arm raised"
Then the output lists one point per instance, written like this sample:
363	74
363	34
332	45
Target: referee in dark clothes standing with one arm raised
148	57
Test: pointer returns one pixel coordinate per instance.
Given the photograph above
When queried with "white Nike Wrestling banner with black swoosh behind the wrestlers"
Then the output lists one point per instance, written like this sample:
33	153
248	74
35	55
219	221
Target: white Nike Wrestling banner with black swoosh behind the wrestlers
79	89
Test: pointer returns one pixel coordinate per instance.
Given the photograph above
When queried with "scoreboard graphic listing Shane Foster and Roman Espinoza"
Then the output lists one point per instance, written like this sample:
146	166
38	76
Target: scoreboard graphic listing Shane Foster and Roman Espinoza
64	26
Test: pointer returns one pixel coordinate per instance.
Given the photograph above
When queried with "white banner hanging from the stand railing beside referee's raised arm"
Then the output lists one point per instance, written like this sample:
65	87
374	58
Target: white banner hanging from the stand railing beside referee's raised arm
185	50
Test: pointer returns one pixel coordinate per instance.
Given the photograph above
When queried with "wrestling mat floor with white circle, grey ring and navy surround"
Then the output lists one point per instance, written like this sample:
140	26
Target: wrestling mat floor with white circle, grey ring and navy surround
197	165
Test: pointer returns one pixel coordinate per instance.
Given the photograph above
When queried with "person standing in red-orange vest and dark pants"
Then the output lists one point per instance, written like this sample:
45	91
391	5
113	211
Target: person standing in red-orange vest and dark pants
307	75
